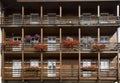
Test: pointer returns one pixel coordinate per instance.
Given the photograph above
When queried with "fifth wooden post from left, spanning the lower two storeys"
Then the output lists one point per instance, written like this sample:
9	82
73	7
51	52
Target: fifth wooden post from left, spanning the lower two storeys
79	62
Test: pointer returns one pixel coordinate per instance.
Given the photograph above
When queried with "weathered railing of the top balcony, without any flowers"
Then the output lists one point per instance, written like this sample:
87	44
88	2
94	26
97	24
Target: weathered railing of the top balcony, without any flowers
84	20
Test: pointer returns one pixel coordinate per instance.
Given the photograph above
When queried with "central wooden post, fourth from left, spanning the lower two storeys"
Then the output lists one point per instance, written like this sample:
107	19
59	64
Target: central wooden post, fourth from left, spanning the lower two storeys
60	34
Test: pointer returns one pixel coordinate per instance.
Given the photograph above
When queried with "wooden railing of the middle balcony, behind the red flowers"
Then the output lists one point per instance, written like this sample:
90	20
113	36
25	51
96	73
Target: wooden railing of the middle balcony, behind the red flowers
58	47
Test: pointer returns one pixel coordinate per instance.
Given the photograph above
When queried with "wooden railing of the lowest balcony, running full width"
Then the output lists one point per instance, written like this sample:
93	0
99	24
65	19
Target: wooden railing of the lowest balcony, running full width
56	73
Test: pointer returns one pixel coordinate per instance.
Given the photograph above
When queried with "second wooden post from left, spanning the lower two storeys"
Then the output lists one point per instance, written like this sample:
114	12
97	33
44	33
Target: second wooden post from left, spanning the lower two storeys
22	54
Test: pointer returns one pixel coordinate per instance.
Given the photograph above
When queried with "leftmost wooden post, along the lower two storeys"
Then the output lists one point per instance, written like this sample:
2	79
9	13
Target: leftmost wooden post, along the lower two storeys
3	37
